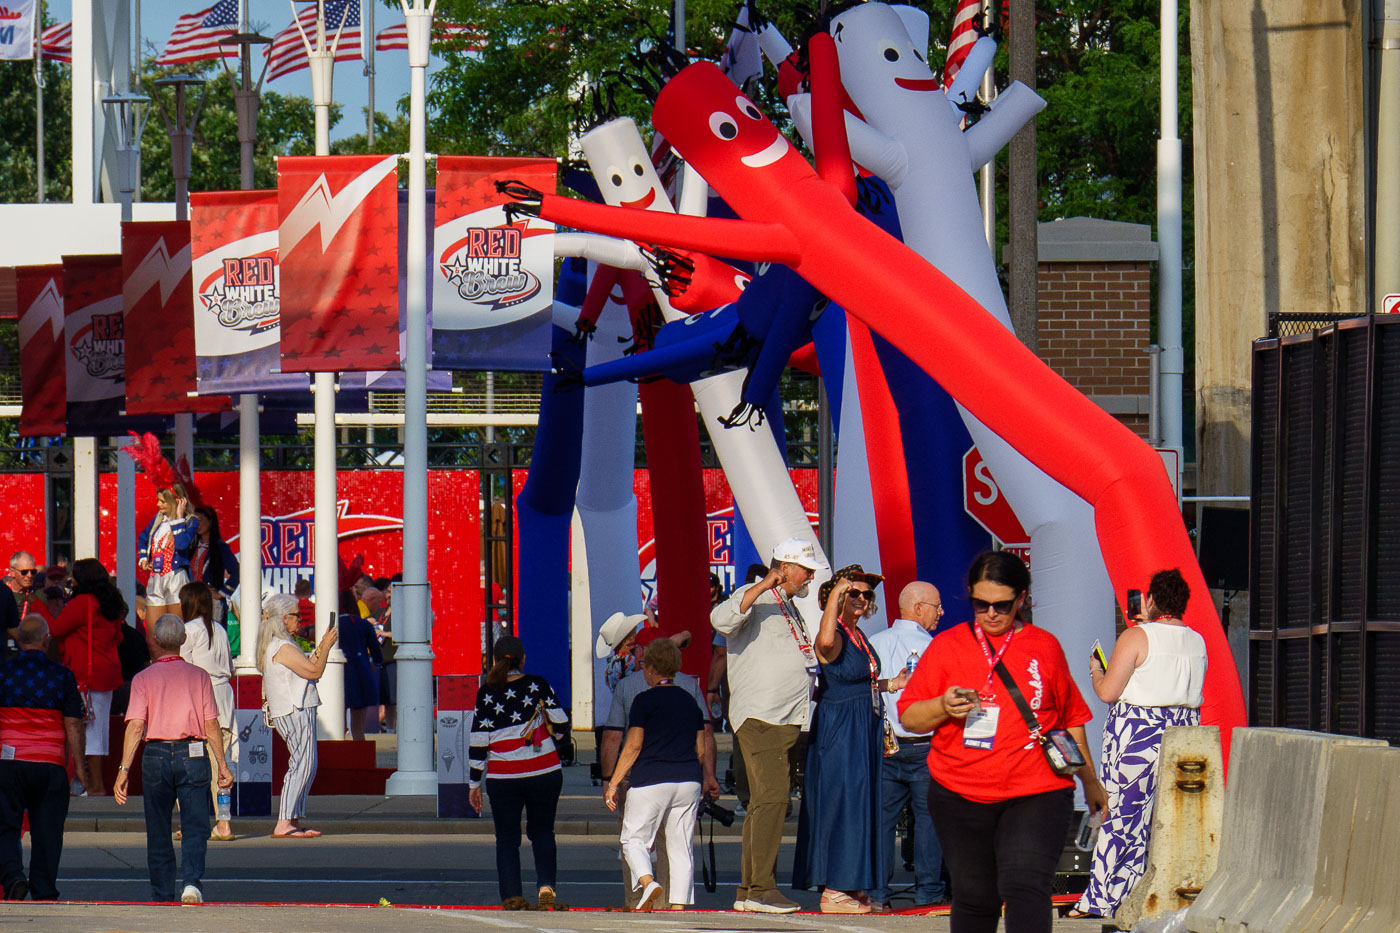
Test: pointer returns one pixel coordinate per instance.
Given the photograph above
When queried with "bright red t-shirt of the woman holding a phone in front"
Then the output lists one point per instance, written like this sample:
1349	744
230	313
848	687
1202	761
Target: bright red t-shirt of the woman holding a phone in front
1010	768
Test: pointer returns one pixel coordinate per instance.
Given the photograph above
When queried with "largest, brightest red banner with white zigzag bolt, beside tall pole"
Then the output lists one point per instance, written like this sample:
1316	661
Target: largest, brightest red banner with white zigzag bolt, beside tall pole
338	239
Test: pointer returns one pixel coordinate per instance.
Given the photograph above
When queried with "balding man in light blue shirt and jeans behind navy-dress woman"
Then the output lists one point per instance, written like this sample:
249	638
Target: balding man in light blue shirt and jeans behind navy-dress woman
905	775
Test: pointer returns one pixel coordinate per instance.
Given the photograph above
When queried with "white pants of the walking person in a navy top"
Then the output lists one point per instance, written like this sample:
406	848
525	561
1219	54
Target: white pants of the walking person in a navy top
647	809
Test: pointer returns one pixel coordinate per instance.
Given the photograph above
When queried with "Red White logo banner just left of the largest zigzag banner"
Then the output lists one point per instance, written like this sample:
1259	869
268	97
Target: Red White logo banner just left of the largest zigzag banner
236	293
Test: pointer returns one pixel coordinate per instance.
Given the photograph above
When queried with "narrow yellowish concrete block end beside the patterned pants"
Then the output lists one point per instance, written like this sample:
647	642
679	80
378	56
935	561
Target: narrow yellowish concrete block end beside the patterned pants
1186	824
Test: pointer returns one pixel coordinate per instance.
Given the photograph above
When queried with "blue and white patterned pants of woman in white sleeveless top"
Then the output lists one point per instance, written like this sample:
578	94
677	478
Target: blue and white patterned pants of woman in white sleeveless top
1132	745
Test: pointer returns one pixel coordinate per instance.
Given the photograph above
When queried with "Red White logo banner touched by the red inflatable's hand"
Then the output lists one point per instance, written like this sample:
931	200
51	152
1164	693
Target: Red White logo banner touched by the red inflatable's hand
493	284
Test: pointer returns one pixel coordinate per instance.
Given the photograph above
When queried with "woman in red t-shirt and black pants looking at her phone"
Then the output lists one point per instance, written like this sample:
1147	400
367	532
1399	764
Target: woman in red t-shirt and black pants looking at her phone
1002	813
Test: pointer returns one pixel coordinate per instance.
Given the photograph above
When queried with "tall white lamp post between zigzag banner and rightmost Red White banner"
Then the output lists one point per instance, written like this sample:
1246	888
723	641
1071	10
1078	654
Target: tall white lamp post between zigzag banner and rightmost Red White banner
418	770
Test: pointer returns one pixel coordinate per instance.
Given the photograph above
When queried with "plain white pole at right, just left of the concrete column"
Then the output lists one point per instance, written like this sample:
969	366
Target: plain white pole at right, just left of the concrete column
1170	240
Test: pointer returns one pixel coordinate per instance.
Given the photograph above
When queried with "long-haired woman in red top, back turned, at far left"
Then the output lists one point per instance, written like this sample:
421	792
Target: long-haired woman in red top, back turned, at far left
89	631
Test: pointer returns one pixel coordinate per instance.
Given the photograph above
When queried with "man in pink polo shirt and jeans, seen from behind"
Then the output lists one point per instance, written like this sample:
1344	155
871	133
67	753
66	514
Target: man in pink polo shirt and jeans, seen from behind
173	710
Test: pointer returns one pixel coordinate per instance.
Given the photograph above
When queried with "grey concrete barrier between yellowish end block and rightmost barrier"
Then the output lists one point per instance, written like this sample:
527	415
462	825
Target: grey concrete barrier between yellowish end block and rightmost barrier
1270	838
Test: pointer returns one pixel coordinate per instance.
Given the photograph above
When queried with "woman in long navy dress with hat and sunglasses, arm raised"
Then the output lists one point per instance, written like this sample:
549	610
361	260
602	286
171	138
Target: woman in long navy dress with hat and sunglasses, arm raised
838	831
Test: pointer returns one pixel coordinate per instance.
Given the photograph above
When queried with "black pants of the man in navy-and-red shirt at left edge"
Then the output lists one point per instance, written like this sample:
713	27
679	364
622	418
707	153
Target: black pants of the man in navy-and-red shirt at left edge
43	791
